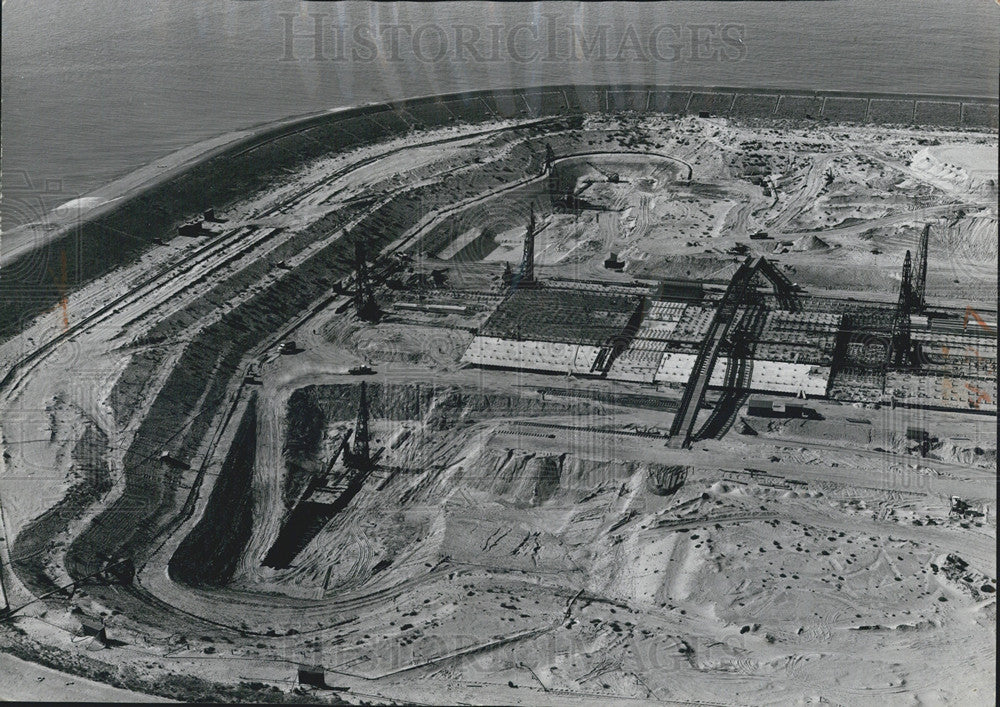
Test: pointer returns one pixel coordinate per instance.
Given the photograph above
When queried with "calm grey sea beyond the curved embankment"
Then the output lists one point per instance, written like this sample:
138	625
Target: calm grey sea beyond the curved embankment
94	89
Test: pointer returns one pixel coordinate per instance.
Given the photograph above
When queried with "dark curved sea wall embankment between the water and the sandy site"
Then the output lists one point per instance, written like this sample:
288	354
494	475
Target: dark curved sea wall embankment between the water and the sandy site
35	282
